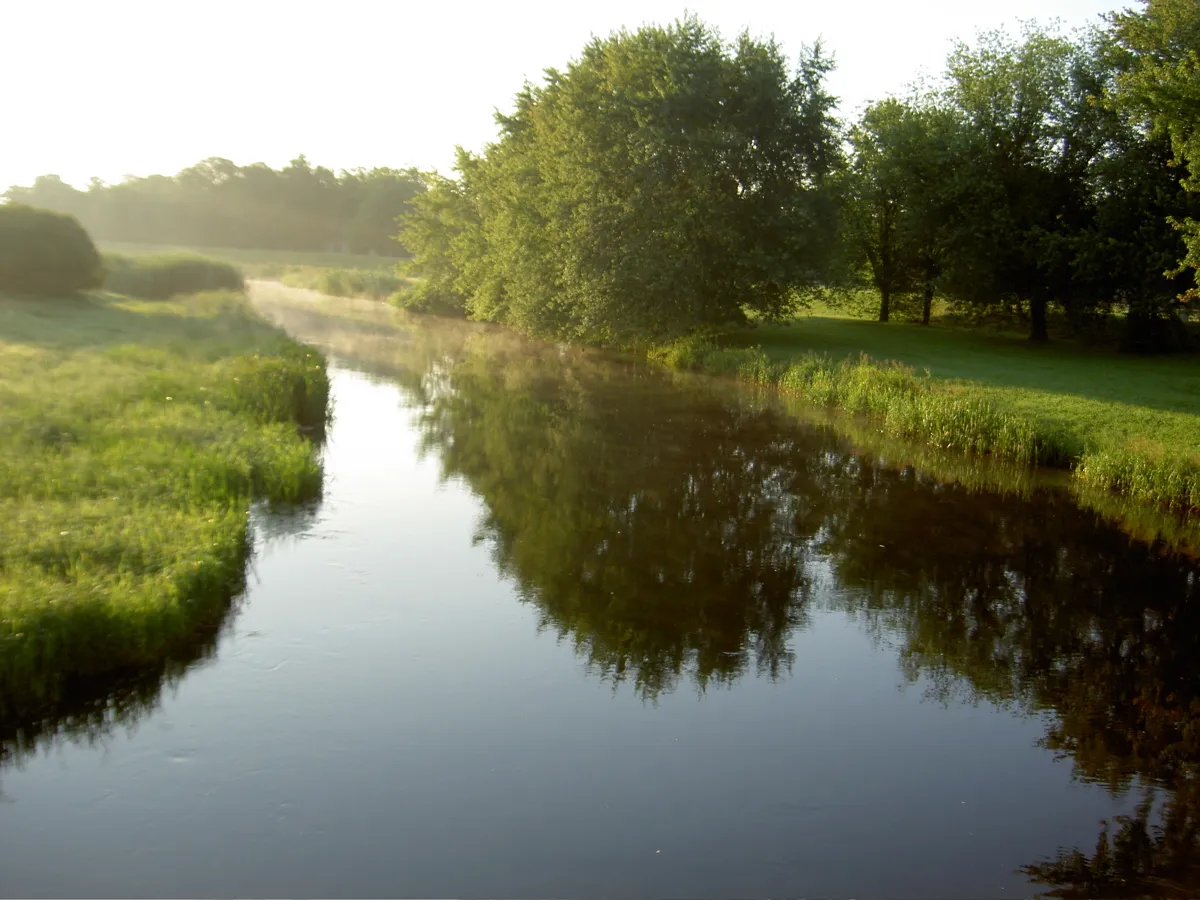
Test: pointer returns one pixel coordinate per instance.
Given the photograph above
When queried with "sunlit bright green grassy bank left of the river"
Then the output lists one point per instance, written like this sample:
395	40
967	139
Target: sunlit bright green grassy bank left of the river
134	436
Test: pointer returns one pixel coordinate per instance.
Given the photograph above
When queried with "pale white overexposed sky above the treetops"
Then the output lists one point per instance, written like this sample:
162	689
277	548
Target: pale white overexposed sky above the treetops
116	87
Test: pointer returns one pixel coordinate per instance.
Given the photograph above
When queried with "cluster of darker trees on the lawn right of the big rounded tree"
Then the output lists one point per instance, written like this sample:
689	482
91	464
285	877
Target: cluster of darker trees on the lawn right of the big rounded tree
1016	188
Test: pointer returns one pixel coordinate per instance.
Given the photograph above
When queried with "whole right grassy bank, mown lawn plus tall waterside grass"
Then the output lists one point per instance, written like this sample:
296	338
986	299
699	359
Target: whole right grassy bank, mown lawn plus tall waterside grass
1124	424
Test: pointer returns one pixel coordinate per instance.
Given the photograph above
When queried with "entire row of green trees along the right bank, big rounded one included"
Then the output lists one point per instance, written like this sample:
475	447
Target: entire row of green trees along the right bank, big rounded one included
669	182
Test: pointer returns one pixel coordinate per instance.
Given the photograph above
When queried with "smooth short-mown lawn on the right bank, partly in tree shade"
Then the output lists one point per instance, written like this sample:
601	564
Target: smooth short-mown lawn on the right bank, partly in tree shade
1102	398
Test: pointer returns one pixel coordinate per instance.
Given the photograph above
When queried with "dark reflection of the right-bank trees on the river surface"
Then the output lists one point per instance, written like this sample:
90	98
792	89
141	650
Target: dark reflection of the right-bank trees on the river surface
679	535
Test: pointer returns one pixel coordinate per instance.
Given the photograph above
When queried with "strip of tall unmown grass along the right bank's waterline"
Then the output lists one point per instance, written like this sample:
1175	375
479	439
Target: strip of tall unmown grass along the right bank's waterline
951	417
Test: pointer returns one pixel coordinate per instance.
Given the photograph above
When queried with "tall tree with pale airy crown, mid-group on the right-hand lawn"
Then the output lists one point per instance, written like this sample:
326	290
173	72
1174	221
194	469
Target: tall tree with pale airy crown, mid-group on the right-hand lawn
1022	189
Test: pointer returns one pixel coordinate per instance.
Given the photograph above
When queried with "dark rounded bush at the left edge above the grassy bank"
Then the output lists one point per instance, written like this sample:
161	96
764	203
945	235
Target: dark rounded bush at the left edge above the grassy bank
46	254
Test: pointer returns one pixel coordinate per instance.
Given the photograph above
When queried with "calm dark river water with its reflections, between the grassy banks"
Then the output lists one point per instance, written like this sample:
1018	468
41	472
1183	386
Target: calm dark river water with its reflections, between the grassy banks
562	627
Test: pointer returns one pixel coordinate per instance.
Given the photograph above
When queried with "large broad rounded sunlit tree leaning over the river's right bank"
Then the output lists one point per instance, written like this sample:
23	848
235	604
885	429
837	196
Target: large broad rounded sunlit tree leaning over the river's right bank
665	182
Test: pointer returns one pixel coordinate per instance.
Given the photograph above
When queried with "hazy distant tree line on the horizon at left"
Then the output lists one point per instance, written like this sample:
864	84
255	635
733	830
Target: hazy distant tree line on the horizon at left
220	205
